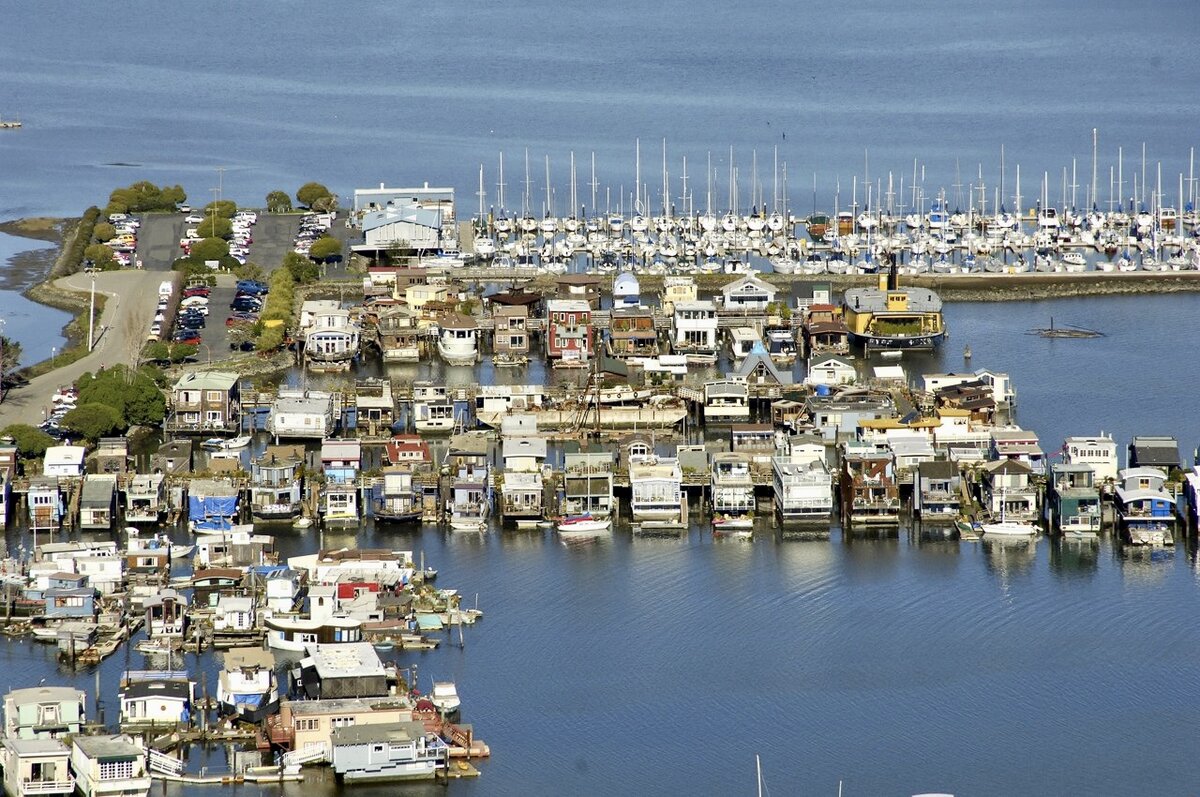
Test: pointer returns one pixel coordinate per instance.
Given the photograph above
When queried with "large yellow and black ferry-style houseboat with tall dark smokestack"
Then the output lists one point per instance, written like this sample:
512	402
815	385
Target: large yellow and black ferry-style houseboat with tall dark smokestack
895	319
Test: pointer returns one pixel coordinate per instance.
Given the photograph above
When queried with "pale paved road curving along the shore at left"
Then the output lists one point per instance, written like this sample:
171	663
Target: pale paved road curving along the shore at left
121	333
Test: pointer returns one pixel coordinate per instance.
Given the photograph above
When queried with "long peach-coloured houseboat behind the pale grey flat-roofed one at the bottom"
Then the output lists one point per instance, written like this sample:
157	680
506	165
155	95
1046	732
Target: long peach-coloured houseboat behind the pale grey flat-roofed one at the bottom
307	727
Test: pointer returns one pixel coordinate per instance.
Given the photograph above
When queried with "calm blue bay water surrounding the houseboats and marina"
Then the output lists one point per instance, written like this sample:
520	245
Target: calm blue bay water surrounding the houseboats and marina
645	667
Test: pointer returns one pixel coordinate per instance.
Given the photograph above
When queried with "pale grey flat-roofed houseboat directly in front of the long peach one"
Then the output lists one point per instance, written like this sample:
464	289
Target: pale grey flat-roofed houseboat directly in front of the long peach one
388	752
